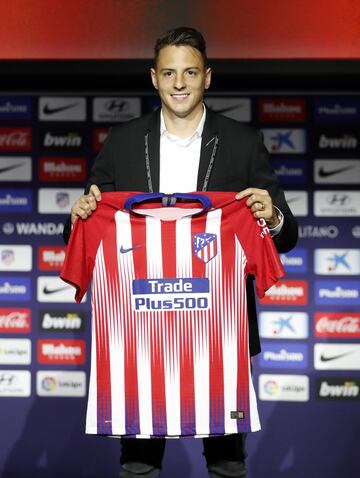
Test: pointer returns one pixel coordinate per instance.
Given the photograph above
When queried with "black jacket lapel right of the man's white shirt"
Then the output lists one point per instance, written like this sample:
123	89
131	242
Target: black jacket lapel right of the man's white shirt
209	137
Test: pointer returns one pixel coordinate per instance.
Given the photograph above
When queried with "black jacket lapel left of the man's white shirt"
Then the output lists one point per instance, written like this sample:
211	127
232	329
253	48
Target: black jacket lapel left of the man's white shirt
153	138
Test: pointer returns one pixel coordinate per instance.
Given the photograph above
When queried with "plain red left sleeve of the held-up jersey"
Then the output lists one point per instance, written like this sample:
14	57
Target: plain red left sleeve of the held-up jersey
82	248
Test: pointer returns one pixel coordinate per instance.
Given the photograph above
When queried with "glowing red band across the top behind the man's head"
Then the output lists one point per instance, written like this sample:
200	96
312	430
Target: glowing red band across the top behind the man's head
116	29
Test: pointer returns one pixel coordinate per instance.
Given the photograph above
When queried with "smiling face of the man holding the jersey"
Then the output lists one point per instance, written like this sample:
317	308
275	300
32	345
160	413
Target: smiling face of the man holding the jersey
180	77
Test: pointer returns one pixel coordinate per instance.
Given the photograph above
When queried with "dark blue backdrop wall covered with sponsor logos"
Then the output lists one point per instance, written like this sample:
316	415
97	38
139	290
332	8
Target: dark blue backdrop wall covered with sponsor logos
308	374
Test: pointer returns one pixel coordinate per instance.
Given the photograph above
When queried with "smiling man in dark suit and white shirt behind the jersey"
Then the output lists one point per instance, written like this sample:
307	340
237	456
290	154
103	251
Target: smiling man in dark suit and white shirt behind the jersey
186	147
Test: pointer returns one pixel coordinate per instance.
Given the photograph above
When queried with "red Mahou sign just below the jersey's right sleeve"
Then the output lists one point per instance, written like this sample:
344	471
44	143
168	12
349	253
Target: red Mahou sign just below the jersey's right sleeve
287	292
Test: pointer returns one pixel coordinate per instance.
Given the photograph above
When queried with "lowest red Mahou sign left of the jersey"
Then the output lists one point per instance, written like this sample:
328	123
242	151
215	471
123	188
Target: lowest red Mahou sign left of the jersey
61	351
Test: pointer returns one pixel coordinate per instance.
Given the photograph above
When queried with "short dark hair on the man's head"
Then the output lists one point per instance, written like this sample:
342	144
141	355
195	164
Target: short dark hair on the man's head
181	36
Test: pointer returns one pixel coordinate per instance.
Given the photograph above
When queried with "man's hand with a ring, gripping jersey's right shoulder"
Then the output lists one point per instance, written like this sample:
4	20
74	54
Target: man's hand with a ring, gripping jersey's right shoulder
260	203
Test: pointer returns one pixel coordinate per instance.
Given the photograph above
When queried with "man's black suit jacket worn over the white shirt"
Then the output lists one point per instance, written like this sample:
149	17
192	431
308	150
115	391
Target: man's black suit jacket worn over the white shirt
232	158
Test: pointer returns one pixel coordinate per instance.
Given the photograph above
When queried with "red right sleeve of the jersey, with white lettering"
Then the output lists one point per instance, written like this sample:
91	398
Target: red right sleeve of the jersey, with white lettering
262	259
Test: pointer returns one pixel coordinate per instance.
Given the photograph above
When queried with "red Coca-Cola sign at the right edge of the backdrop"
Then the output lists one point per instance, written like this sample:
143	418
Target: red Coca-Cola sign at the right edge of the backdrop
337	325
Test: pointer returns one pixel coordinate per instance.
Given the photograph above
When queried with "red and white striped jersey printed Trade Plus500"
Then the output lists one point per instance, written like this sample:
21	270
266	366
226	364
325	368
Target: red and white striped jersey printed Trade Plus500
170	352
